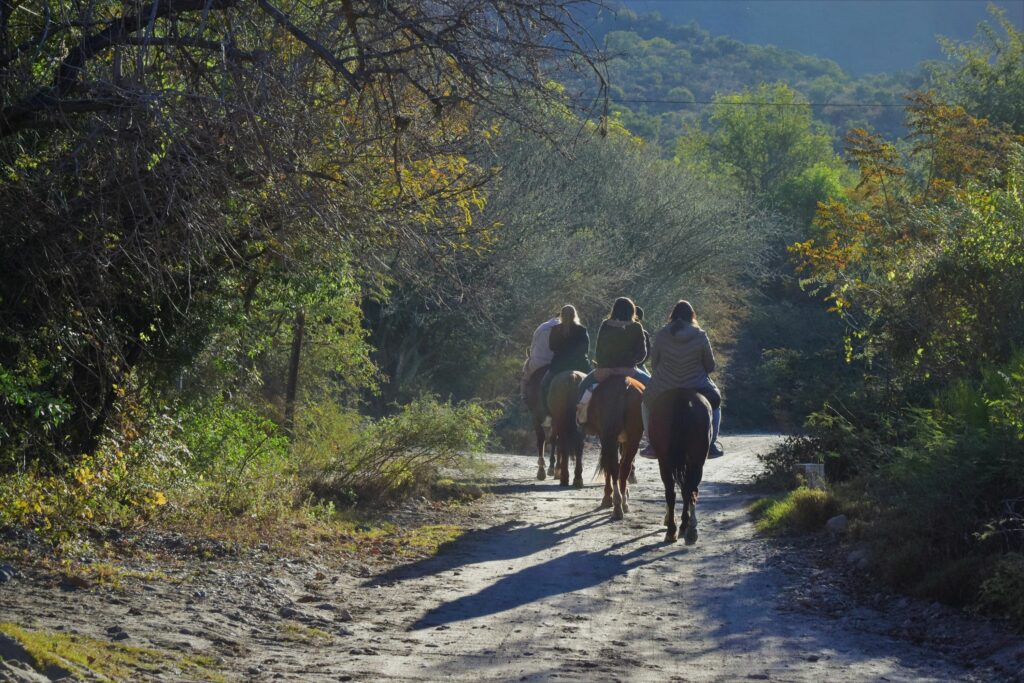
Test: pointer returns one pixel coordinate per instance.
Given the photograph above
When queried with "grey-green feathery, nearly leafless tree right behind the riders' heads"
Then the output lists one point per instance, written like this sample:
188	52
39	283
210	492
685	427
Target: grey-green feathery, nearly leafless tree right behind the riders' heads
585	219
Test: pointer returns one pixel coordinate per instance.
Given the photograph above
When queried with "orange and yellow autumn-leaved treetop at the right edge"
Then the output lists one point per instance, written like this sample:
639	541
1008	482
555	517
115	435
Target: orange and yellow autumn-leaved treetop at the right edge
927	272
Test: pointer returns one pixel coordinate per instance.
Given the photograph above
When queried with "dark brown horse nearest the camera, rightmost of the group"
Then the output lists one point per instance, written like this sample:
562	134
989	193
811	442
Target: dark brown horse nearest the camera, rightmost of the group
680	435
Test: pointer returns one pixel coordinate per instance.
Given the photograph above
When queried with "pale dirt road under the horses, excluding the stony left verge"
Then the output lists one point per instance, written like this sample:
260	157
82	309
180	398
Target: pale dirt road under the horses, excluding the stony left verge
561	591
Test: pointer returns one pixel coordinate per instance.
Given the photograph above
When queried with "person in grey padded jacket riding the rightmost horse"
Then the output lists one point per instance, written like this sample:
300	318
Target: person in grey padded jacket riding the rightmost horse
681	359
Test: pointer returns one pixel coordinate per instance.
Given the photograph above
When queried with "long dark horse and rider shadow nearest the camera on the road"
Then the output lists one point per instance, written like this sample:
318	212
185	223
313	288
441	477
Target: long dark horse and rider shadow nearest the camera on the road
567	574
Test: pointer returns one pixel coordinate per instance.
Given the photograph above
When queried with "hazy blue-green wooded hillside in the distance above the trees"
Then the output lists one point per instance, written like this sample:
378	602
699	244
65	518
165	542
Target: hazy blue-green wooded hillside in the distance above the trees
664	74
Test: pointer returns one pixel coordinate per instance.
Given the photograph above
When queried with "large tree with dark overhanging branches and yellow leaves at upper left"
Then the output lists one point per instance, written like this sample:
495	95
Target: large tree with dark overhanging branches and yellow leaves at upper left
155	157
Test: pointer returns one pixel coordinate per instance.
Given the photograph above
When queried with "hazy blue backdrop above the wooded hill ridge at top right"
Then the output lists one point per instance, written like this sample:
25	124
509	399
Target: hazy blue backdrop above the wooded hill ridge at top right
863	36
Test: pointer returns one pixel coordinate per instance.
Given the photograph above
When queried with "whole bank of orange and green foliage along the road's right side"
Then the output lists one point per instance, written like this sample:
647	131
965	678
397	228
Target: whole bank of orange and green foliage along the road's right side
923	262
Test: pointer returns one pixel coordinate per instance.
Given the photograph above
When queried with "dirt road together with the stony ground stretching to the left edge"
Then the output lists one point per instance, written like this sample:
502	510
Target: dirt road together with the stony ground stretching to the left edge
546	587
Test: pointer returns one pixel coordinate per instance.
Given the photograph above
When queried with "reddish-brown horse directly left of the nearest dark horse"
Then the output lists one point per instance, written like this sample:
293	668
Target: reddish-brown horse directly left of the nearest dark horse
616	417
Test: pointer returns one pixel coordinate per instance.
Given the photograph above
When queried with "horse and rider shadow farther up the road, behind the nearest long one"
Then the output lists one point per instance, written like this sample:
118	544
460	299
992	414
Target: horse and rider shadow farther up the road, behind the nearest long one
507	541
